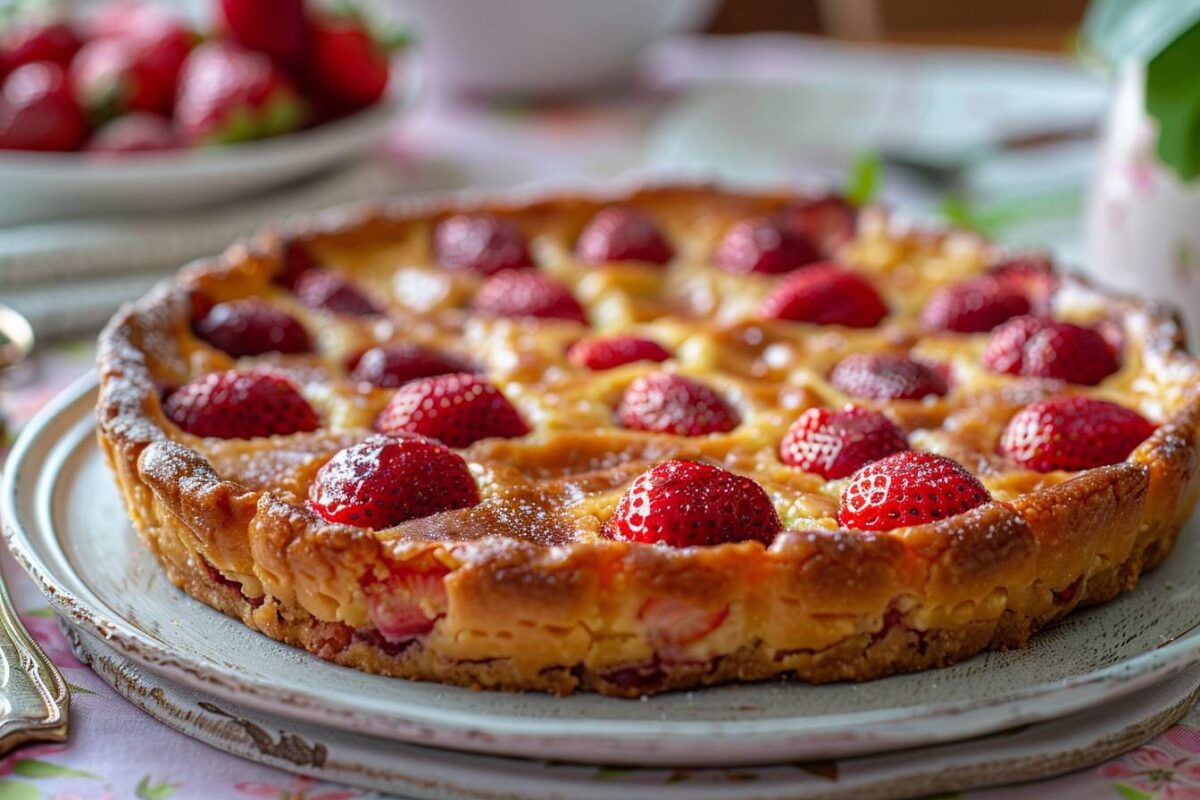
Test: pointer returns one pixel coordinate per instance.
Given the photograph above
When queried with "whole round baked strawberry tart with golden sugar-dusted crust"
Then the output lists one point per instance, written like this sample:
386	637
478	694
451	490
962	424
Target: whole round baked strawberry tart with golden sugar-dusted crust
675	438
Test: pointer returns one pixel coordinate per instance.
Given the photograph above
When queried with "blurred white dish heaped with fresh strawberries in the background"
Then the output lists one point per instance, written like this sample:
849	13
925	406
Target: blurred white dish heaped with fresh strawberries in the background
135	107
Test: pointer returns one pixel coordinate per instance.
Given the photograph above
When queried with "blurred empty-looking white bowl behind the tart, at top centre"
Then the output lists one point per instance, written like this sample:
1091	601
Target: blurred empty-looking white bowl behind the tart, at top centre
538	47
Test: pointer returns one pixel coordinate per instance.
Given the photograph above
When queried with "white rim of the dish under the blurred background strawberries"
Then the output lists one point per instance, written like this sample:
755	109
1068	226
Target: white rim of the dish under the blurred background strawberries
39	185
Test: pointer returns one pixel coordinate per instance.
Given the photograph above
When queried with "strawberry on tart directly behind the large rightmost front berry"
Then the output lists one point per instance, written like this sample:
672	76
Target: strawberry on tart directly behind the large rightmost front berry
1048	350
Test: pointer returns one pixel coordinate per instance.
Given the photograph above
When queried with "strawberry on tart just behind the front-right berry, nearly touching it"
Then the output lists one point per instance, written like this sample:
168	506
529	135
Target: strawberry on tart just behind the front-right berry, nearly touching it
835	444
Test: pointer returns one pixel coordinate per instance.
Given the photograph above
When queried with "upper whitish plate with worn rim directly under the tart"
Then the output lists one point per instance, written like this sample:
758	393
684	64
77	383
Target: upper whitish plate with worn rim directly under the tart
67	526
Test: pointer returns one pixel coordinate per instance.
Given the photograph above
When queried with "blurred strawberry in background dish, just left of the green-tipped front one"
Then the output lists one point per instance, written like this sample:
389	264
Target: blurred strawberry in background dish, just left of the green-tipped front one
135	73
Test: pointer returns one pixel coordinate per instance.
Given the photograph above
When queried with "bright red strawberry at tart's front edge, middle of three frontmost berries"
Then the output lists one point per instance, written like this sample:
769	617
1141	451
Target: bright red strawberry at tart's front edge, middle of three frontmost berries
689	504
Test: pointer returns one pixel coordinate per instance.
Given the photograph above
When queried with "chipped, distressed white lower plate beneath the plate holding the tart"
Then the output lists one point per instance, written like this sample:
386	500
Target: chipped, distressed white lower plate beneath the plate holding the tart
1028	754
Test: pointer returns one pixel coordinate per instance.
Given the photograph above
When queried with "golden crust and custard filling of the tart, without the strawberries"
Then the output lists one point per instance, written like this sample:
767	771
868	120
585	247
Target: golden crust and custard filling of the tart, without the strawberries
536	598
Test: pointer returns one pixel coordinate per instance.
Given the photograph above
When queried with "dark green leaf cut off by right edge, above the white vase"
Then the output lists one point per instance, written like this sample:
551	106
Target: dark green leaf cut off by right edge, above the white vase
1173	100
